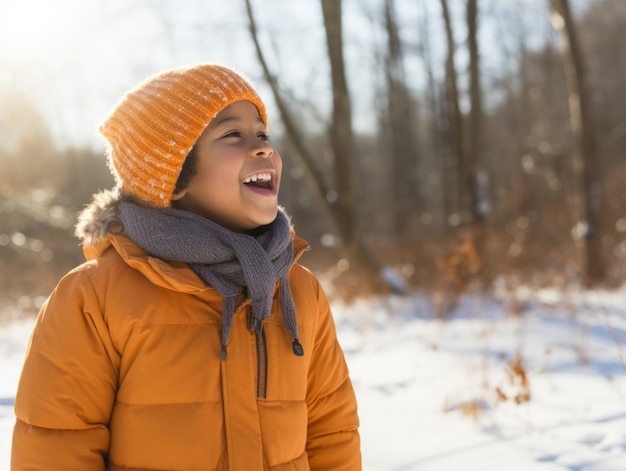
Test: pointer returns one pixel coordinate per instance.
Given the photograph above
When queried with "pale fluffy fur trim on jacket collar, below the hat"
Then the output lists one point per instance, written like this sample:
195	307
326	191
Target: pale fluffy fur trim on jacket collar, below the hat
98	217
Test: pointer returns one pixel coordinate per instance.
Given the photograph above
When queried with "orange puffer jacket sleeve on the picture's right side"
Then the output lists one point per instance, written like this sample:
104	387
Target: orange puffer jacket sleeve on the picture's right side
333	438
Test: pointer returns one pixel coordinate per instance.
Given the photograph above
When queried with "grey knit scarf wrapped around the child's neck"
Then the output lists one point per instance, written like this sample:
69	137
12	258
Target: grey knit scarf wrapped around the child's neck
230	262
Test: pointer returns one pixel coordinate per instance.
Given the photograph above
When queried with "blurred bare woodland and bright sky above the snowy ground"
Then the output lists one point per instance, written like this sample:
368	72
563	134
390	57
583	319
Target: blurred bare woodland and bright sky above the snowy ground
443	145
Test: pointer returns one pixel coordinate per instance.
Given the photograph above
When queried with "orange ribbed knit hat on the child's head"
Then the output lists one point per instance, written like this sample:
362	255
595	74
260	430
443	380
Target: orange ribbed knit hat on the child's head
153	128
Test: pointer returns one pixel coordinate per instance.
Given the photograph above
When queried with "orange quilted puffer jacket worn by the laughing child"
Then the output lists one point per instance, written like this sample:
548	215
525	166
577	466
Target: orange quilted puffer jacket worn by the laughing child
124	373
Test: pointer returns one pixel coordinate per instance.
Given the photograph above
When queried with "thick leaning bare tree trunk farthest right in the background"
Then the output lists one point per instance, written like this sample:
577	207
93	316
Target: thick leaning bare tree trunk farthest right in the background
587	199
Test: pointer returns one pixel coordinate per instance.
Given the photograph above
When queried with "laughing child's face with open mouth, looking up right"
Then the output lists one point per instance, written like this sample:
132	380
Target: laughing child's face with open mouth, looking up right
237	172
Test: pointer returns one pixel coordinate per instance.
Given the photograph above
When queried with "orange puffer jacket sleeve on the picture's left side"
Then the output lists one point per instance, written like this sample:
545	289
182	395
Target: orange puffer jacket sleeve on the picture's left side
68	383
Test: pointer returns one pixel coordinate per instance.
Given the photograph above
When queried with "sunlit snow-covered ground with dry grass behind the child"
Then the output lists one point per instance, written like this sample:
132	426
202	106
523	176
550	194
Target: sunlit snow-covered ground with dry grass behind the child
483	390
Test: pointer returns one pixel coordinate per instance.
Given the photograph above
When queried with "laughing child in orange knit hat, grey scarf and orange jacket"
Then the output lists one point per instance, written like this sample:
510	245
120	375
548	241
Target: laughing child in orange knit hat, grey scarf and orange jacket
190	339
